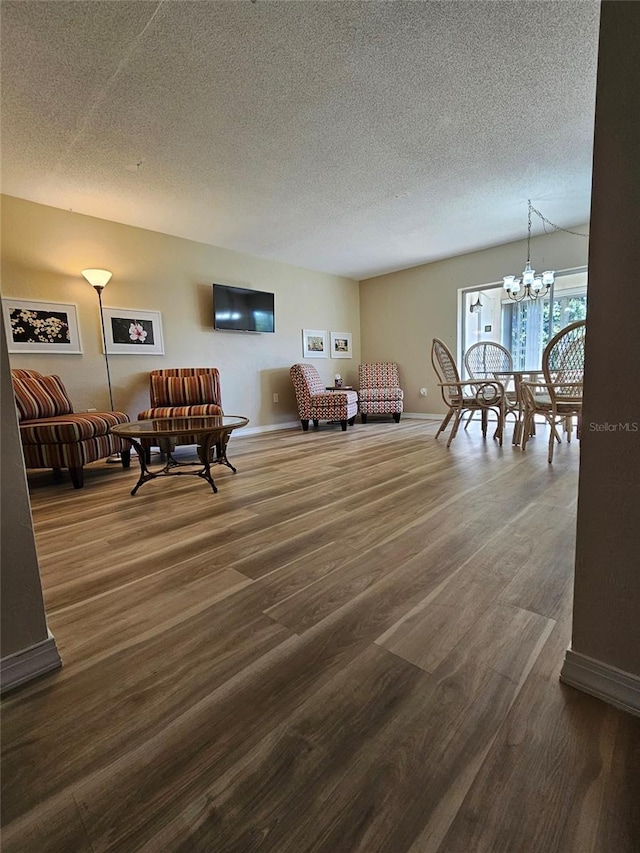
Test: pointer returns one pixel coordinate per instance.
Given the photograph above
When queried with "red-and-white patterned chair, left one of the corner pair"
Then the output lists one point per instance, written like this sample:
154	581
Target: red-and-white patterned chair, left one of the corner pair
315	403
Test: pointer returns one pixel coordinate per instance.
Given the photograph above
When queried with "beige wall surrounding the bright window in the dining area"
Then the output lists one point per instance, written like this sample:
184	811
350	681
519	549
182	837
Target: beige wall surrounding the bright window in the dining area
400	313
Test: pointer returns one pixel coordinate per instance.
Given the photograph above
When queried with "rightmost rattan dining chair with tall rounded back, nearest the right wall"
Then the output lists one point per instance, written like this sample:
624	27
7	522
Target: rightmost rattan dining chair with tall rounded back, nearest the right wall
559	398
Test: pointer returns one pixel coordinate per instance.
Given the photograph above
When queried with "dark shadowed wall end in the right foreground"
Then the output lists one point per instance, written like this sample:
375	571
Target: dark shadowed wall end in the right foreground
607	586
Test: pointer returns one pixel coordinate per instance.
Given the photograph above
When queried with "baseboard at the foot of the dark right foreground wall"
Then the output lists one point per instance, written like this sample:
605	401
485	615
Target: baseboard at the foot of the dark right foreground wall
606	682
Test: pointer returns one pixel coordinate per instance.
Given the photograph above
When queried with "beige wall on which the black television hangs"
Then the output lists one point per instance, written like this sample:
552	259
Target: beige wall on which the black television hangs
44	250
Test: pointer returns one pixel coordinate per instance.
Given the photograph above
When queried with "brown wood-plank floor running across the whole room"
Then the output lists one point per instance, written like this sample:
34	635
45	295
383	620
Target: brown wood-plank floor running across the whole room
353	646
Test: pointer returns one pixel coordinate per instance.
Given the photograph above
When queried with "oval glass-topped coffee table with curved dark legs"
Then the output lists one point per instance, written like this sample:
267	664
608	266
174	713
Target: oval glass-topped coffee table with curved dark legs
206	431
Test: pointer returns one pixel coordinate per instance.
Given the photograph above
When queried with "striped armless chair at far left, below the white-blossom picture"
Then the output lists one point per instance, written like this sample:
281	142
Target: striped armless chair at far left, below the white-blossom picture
53	436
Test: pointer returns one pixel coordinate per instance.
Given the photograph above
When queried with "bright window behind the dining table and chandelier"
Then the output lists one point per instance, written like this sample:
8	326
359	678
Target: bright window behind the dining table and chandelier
524	328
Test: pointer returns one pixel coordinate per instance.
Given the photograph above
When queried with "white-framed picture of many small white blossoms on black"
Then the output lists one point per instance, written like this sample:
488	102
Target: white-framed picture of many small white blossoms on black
41	326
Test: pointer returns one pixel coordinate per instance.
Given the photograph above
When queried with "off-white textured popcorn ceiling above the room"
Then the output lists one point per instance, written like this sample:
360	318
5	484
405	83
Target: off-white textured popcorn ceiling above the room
349	137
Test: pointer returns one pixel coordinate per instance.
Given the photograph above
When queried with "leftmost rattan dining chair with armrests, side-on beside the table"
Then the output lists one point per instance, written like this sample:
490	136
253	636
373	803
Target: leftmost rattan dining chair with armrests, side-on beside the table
470	395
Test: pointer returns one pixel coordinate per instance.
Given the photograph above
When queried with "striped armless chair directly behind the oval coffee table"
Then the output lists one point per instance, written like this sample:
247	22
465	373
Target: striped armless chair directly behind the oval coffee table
180	392
